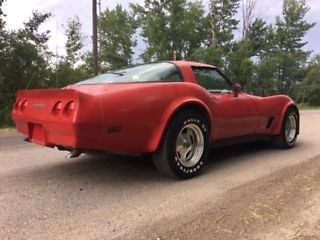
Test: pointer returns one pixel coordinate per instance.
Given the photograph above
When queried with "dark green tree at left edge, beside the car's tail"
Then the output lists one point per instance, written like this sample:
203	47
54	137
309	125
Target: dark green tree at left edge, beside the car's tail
26	62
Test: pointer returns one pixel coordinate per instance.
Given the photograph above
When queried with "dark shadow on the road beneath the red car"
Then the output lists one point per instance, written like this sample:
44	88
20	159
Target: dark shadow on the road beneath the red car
99	169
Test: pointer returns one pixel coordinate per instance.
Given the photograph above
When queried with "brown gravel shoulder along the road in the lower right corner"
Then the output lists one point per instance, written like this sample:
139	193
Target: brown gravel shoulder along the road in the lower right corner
283	205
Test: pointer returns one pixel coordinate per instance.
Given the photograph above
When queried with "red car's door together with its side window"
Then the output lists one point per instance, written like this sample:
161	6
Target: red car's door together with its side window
234	116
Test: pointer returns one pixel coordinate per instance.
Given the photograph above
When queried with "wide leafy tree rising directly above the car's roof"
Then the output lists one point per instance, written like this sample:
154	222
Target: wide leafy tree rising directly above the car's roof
166	28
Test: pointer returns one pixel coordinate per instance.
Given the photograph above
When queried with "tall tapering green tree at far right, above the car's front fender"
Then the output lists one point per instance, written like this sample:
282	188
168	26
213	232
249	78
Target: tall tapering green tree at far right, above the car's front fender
286	49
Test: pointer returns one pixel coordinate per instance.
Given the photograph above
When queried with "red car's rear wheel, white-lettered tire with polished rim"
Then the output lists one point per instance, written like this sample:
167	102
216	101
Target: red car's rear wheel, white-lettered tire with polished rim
184	147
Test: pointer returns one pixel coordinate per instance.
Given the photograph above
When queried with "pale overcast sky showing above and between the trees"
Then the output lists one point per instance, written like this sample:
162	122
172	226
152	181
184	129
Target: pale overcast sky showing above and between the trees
19	11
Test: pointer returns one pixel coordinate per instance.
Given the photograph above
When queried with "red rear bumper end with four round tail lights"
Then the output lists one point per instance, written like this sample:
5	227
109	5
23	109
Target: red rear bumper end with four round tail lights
52	118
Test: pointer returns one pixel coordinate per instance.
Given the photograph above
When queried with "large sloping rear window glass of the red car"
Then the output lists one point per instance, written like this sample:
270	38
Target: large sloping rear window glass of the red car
154	72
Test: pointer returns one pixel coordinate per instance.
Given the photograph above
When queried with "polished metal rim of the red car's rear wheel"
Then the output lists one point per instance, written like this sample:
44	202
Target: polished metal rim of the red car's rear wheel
190	145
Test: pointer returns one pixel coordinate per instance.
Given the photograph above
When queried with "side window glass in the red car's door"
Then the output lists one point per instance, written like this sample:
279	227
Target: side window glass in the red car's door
211	79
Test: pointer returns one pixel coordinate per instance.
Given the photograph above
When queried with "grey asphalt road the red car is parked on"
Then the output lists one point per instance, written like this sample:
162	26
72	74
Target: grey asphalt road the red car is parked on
46	196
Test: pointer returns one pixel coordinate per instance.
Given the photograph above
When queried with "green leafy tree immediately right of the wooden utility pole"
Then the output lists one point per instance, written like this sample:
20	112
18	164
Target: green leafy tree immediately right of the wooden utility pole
117	28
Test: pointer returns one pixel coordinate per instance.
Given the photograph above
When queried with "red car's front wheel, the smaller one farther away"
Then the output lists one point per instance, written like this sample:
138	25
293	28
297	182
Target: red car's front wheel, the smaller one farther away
289	130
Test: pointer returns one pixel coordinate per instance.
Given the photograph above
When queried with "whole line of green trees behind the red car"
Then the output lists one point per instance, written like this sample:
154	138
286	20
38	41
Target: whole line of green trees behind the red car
264	58
